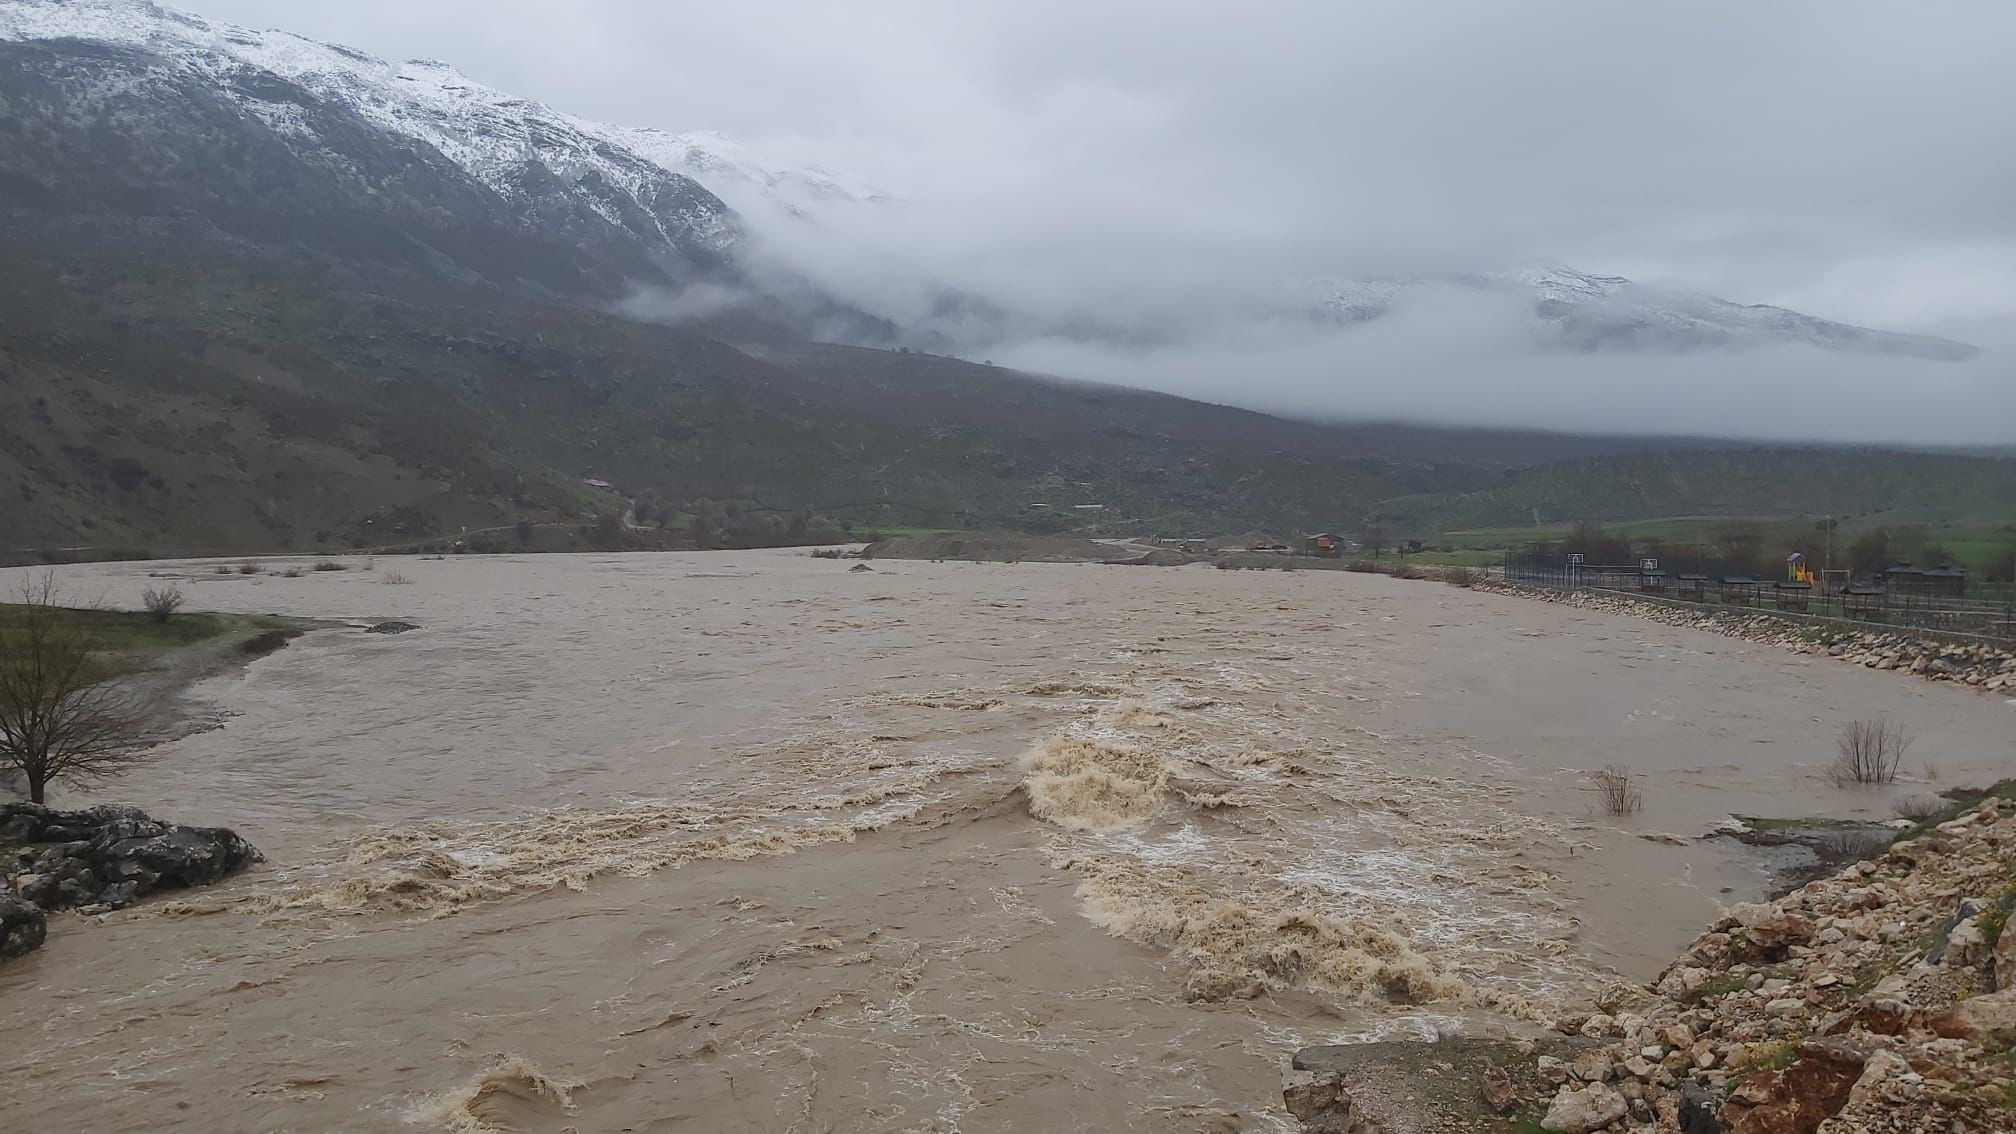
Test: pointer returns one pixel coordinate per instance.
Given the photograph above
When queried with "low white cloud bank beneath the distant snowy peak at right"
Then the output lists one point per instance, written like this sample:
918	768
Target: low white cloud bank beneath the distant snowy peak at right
1483	362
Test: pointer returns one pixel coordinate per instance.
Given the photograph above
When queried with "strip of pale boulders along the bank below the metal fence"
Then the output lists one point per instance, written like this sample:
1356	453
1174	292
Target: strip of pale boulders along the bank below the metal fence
1940	661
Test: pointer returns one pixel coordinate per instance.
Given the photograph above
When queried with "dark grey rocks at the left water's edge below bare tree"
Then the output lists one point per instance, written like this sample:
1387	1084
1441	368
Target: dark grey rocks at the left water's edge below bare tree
100	861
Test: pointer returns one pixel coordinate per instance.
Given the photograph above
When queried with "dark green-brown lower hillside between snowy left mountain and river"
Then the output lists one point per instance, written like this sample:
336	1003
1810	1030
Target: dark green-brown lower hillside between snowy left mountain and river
215	405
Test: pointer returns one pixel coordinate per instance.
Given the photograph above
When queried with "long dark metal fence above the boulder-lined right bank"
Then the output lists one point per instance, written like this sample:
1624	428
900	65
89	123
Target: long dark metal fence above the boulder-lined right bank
1983	614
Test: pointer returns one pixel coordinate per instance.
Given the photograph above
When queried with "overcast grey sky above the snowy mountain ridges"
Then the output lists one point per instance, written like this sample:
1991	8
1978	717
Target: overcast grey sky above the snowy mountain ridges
1846	158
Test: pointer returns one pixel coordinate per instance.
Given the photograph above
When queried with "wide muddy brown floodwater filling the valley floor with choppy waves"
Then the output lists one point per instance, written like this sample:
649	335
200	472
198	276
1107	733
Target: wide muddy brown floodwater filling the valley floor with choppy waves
761	842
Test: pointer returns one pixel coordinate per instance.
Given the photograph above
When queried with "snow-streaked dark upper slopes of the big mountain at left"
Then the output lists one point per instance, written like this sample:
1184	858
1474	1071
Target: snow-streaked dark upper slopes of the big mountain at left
140	114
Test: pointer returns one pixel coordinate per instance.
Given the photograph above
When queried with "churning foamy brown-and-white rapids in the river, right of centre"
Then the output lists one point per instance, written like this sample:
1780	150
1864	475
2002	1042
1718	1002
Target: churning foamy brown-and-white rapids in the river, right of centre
1299	863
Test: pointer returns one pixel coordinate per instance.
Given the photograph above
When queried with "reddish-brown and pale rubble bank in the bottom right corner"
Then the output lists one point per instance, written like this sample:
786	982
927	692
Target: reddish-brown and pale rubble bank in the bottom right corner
1876	1002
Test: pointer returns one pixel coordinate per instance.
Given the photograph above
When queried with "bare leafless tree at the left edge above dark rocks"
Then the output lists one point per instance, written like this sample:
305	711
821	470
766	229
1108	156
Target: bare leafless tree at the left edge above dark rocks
66	709
